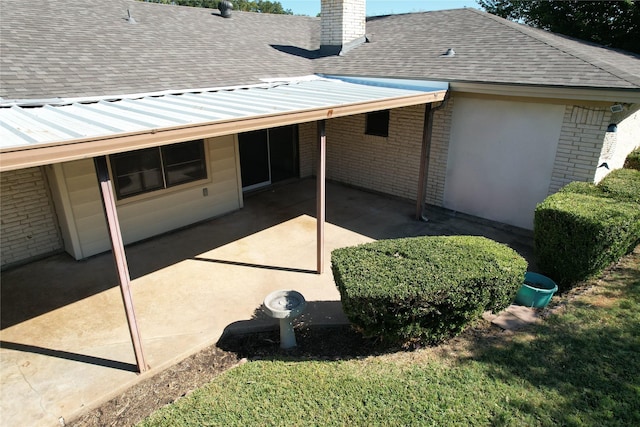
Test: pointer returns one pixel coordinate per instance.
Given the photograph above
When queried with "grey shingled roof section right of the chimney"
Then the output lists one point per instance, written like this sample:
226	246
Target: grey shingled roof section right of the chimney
488	49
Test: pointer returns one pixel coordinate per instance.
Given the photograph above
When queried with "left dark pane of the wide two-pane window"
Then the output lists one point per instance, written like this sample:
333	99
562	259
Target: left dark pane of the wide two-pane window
137	172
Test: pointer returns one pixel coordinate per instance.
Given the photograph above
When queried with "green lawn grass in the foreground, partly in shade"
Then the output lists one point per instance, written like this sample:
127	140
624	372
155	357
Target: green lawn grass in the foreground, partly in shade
581	367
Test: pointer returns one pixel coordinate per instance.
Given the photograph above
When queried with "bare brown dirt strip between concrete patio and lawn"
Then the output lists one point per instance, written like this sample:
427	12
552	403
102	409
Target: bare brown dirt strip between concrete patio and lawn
314	343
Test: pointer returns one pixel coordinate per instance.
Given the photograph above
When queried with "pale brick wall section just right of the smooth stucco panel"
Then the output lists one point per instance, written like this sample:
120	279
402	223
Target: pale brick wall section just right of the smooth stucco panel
580	145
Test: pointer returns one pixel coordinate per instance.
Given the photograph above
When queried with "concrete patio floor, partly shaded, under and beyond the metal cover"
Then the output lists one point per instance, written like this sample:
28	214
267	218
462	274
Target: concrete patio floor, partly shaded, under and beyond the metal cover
65	345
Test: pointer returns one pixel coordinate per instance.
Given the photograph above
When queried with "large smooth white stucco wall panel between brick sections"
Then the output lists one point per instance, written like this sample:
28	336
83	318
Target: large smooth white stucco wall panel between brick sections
501	156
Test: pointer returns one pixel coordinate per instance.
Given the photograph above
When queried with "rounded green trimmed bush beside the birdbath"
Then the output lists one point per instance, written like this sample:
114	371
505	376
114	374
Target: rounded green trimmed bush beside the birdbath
424	289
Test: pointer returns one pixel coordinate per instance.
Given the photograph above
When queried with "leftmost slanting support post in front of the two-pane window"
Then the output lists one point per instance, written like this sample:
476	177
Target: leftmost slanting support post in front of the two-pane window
120	258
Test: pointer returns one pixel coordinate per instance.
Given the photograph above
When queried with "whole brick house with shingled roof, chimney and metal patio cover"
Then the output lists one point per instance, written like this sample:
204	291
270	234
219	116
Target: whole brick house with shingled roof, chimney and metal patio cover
508	116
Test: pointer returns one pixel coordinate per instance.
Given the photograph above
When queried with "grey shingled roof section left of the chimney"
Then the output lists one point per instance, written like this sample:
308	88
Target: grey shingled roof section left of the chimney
71	48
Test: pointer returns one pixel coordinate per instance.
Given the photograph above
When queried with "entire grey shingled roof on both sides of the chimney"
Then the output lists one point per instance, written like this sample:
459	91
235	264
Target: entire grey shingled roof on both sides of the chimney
64	48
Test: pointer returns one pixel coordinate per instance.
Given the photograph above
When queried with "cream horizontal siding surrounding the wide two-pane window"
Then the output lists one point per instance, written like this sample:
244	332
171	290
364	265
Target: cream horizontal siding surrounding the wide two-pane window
78	197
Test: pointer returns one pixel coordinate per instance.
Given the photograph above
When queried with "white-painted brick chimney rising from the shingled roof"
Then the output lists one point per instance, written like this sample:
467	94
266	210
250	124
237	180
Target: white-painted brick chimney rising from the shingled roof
343	25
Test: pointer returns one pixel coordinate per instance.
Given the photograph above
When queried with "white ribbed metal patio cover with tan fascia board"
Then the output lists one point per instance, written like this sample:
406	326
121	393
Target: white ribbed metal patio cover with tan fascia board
35	133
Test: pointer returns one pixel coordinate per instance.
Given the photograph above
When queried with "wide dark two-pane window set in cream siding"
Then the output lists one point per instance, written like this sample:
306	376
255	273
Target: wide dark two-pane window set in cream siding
151	169
